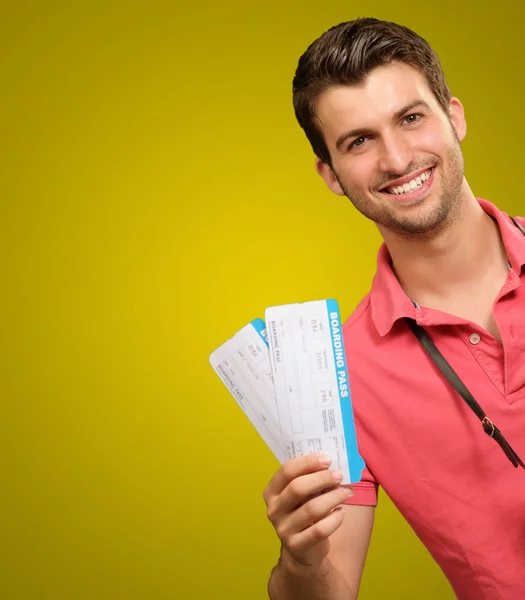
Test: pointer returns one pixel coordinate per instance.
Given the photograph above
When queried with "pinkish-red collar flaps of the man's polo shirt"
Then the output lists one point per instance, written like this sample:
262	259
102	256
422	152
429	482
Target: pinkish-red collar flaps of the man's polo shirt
388	301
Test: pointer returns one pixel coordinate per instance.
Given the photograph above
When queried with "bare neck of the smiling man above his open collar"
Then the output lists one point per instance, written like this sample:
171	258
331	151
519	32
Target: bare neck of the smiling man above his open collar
460	256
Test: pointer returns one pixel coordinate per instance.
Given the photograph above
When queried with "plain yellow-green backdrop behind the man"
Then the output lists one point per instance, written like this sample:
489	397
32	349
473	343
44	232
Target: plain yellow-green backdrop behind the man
156	195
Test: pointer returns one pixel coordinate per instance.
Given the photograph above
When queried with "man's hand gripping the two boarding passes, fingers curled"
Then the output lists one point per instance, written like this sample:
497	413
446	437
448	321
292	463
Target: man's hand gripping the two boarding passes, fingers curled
302	500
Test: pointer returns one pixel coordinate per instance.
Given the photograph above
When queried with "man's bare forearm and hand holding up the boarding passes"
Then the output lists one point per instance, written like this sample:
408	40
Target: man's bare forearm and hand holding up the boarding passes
324	544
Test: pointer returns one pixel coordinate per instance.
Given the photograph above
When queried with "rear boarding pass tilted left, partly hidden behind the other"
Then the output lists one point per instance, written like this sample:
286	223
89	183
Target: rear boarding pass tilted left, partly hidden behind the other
243	364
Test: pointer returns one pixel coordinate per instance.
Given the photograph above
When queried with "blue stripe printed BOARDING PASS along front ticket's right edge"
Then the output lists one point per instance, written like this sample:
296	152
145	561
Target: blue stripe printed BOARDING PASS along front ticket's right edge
355	462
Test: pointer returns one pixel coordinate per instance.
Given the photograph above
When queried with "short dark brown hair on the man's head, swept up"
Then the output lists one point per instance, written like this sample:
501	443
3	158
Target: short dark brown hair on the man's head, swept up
346	54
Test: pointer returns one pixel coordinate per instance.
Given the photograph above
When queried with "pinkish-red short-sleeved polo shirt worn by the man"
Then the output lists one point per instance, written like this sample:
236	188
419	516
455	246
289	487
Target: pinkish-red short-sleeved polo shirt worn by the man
425	446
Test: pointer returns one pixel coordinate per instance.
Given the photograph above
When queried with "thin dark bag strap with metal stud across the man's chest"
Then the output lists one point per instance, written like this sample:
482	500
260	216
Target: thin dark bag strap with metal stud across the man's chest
453	378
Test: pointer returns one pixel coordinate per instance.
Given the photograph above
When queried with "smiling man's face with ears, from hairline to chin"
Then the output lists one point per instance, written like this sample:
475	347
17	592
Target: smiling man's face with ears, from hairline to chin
395	153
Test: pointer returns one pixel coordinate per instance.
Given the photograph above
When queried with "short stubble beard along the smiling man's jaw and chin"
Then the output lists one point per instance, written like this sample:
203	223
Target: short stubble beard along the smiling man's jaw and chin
421	224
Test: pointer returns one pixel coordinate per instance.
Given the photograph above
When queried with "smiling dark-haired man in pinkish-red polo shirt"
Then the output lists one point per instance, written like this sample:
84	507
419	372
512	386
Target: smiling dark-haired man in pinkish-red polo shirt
372	99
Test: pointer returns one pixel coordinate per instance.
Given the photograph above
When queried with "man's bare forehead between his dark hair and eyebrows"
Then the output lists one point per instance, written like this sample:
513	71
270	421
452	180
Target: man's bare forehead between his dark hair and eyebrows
372	102
